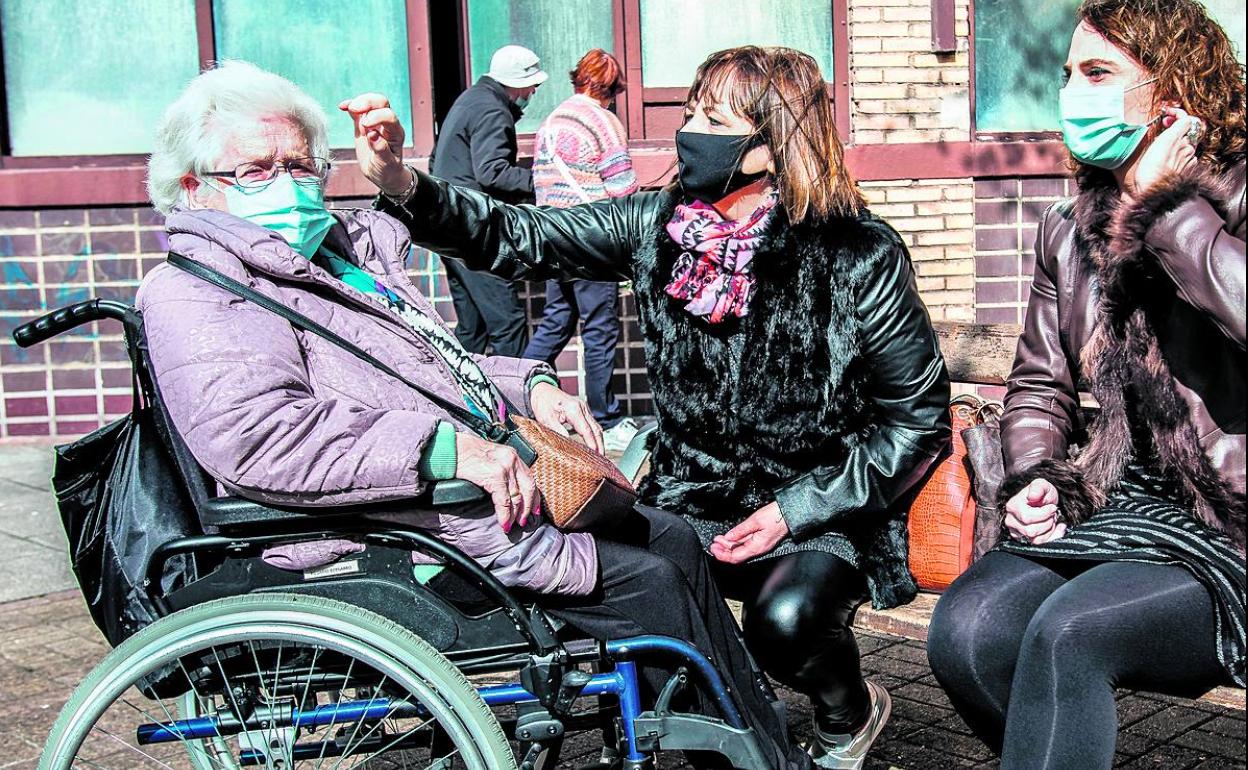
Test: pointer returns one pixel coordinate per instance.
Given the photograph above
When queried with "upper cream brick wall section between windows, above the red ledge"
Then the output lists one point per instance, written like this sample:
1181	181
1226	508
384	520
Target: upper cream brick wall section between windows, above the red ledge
900	90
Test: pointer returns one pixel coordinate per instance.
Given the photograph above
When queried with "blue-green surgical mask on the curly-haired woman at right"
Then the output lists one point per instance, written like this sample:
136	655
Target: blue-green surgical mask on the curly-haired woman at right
1095	124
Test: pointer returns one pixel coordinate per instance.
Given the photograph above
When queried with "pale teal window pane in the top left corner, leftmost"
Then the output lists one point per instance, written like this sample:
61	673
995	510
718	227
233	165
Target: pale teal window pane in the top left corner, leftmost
74	83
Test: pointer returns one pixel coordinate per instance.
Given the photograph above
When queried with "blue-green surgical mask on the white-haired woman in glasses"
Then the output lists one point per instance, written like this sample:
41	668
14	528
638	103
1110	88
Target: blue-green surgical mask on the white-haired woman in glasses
294	210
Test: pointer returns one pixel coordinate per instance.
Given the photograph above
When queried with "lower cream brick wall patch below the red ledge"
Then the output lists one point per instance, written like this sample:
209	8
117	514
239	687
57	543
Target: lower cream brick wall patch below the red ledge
935	218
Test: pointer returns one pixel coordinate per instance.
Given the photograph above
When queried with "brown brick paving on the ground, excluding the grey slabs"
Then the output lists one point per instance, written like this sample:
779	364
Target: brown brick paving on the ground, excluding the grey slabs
48	645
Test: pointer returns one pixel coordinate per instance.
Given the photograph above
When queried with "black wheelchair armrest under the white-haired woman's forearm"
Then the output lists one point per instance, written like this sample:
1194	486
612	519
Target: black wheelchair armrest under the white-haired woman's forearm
234	512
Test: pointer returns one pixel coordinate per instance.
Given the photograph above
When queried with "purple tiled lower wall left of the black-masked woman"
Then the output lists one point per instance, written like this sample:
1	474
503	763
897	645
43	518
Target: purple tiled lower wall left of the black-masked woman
82	380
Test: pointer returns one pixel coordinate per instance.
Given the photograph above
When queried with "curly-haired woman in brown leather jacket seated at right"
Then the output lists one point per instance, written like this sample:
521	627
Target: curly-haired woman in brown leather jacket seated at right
1124	563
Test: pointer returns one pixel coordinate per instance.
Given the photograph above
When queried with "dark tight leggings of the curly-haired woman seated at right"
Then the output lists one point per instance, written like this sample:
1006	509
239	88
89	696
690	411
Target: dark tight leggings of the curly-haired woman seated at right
1031	652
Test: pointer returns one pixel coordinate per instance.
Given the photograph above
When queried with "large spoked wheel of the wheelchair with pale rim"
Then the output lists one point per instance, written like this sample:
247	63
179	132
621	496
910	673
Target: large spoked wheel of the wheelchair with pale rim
278	681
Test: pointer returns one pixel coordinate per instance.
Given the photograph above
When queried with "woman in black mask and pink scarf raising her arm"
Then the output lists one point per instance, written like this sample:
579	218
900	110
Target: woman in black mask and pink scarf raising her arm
798	384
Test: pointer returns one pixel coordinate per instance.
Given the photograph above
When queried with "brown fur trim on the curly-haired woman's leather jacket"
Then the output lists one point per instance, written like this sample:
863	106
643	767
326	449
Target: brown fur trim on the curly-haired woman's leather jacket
1141	407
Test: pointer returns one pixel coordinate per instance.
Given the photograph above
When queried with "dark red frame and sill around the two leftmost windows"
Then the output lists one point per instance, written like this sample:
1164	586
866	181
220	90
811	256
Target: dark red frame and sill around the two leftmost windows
109	180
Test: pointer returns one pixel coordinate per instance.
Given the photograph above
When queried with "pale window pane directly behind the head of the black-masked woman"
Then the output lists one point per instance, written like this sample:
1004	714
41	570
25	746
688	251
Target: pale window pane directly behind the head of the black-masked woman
671	54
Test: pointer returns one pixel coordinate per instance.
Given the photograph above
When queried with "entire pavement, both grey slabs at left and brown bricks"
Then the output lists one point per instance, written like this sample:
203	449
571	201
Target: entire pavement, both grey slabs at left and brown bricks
48	645
